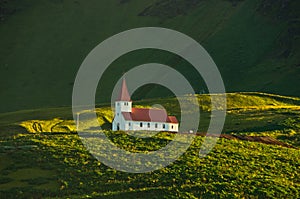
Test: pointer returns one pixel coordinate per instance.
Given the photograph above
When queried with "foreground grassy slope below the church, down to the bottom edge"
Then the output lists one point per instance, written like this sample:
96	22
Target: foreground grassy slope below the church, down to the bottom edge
64	168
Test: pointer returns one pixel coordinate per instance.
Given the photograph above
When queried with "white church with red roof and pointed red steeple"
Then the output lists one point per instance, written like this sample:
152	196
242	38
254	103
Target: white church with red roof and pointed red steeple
134	119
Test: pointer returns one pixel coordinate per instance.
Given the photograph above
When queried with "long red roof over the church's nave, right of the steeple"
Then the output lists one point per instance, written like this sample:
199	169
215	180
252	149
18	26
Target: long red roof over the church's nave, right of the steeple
149	115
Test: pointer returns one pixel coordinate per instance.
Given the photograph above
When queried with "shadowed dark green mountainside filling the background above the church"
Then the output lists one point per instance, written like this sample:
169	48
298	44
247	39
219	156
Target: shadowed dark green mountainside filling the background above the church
255	44
